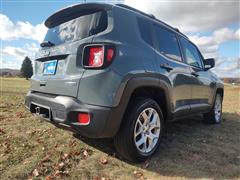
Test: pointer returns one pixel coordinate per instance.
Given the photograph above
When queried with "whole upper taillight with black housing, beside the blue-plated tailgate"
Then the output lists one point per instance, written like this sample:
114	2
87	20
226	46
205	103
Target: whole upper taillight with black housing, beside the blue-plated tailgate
98	56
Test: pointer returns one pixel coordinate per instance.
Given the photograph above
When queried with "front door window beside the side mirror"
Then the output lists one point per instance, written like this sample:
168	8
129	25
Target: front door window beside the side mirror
190	53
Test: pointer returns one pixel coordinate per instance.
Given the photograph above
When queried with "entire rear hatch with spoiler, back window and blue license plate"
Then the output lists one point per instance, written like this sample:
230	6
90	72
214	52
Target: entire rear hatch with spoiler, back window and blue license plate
58	64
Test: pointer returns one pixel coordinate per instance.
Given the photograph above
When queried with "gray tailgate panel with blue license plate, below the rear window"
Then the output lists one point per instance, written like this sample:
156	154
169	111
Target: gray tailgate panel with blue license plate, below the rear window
64	75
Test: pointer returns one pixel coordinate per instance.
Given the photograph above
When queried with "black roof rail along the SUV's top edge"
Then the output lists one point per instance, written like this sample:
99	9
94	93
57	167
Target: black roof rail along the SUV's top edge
151	16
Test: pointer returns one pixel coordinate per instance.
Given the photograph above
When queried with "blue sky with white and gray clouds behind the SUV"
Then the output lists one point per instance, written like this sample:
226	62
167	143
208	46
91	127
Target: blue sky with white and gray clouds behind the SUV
214	26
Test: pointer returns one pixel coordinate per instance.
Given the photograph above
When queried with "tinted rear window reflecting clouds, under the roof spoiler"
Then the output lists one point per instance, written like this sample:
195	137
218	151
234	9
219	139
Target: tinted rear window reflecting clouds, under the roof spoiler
78	28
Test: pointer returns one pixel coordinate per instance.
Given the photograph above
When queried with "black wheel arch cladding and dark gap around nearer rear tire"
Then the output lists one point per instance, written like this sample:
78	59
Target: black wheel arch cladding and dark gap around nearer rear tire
144	86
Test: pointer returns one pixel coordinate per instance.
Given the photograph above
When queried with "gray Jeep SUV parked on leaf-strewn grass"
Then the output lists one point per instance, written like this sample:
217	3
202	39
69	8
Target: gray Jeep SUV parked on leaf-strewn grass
111	71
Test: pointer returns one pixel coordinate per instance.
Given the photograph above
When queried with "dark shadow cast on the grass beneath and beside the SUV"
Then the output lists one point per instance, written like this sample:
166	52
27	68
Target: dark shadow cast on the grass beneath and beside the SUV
192	149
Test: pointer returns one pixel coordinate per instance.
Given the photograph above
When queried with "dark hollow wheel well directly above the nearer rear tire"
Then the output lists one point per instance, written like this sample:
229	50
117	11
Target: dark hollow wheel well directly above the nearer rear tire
154	93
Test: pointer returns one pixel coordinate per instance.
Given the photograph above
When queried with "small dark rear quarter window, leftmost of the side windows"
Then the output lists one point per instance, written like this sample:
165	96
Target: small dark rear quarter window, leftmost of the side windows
145	30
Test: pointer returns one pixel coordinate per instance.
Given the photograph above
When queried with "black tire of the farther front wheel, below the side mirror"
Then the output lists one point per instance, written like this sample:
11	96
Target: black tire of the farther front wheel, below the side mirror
210	117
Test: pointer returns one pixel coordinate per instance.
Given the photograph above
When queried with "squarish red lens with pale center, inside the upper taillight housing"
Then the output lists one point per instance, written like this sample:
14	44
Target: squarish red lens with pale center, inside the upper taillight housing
96	56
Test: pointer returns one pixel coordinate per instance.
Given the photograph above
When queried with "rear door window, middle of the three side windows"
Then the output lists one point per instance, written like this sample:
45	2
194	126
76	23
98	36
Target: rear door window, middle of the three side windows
168	44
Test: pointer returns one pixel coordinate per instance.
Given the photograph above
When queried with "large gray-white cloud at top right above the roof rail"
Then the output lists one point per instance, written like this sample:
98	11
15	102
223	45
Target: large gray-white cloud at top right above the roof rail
191	16
